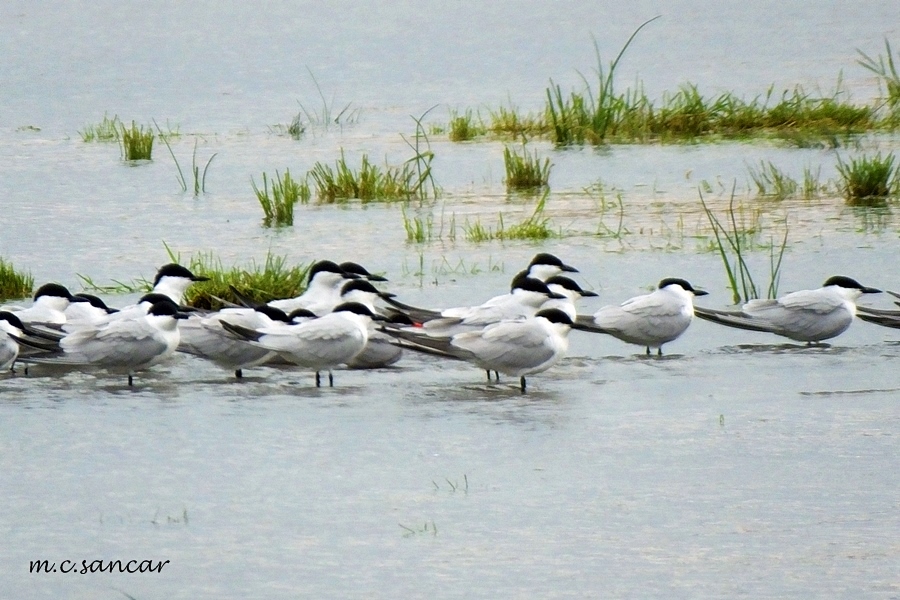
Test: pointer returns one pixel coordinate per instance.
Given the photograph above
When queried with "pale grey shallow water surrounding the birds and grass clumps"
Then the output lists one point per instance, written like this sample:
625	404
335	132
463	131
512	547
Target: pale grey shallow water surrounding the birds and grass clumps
736	465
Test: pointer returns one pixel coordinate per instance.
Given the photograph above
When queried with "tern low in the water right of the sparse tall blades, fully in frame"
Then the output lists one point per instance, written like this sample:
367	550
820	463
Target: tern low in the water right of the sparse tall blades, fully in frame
810	316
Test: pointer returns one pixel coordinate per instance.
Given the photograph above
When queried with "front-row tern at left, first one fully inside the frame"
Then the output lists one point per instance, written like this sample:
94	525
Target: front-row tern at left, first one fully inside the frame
121	345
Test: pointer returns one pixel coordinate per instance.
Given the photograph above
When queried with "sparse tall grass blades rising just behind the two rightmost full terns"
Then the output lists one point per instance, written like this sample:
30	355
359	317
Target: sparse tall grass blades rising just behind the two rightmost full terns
730	244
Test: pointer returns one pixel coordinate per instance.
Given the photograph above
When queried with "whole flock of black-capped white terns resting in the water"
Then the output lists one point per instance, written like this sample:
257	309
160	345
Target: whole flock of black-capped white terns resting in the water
343	319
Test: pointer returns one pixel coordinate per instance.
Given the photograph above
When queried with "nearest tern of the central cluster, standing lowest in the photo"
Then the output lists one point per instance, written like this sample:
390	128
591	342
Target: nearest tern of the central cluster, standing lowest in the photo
516	347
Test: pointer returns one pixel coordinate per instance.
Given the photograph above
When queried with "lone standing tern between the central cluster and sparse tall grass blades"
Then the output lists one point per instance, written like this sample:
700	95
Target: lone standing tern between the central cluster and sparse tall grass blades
648	320
